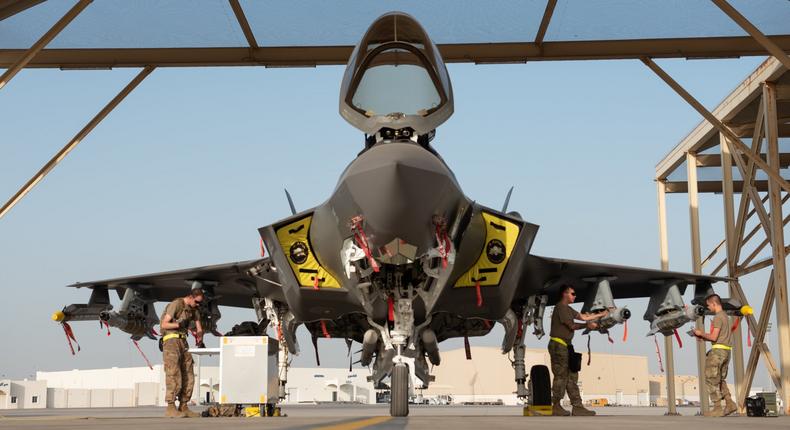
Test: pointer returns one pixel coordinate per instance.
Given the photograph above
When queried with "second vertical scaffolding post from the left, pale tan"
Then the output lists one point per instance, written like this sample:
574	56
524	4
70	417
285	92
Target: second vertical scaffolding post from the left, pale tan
696	264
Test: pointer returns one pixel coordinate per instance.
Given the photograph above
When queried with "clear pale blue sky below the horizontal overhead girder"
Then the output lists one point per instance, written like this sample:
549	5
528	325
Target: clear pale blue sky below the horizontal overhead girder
186	169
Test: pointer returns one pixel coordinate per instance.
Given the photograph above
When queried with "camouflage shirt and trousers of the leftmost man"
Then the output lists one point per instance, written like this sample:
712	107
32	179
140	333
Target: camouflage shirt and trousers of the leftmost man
179	372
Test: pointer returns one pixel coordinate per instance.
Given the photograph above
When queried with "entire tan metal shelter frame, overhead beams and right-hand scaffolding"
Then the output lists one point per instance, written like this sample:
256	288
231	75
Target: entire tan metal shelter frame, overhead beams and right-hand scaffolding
724	127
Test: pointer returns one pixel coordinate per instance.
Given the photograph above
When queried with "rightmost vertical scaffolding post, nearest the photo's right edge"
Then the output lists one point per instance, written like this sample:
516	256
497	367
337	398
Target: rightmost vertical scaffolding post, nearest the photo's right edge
777	243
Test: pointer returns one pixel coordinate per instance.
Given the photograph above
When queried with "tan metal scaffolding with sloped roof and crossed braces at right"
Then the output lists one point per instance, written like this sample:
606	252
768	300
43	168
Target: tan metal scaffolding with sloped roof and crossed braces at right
757	111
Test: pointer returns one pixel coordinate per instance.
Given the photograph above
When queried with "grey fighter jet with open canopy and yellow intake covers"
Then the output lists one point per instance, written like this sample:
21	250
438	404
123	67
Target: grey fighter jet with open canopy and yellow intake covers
398	258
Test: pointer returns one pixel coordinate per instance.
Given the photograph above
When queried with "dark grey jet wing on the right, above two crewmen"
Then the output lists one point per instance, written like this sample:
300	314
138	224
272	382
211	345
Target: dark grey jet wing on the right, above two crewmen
549	274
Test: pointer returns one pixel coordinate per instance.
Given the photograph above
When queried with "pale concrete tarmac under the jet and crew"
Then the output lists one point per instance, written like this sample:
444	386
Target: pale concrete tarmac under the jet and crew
377	417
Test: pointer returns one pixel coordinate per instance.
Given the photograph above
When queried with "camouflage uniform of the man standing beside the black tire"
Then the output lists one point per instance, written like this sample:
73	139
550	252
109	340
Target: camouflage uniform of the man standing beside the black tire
562	324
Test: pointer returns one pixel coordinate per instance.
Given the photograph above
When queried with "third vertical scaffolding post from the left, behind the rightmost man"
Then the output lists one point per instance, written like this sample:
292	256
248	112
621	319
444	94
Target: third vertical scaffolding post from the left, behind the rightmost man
733	244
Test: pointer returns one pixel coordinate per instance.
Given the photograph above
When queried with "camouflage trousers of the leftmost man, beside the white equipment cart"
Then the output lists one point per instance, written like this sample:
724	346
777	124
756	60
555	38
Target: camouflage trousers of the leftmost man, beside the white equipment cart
179	373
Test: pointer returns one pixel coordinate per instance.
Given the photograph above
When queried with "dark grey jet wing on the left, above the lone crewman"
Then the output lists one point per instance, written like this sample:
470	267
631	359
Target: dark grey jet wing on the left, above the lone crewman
232	283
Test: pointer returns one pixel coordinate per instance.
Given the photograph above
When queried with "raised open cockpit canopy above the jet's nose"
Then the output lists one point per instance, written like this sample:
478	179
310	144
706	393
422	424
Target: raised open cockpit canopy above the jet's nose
396	79
